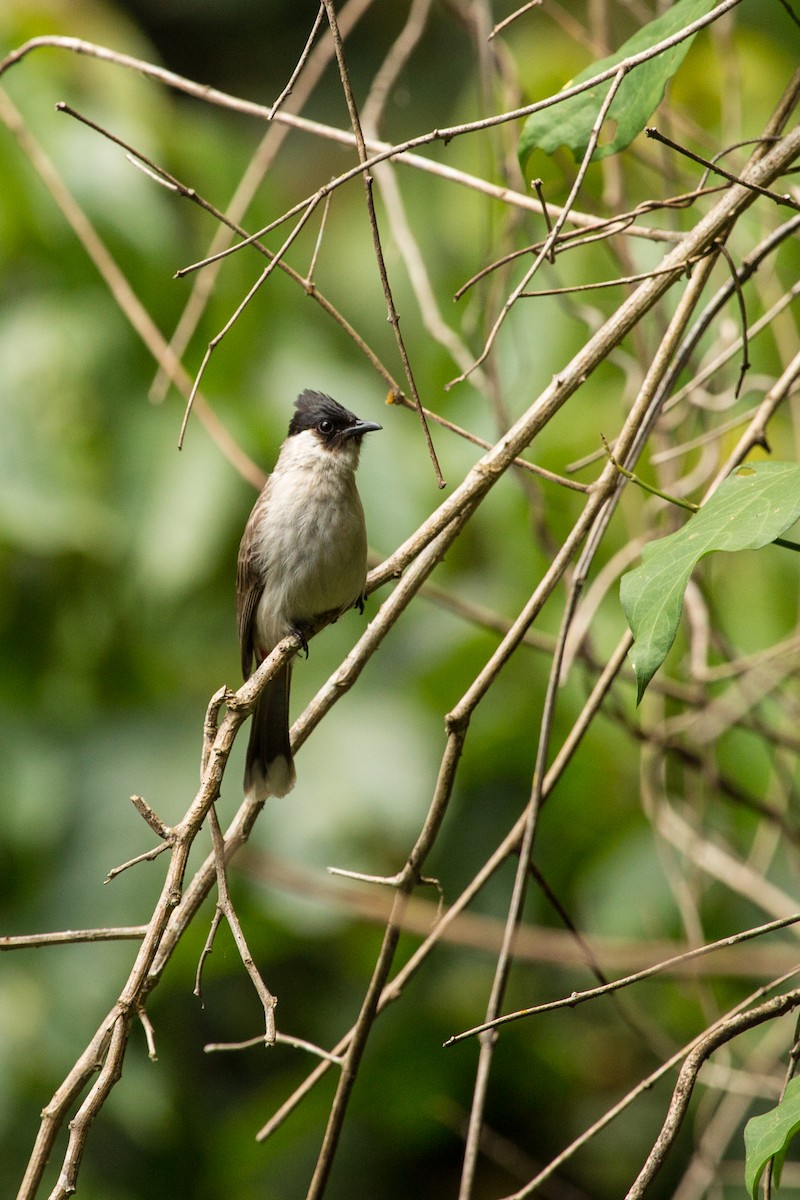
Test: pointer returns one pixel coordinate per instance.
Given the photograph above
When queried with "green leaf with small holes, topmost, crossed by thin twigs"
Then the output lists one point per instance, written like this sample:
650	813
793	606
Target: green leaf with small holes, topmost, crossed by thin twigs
572	122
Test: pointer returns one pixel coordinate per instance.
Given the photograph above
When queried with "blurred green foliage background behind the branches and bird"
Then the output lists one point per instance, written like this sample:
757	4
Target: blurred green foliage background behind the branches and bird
118	560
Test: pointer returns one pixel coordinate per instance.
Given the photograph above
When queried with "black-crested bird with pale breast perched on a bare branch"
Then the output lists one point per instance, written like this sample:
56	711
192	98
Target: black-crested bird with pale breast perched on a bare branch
303	557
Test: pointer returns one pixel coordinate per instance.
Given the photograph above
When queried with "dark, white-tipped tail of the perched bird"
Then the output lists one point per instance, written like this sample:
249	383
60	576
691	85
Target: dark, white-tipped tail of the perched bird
269	769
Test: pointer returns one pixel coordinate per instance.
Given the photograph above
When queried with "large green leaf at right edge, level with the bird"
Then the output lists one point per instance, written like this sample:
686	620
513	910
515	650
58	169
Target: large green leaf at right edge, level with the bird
756	505
